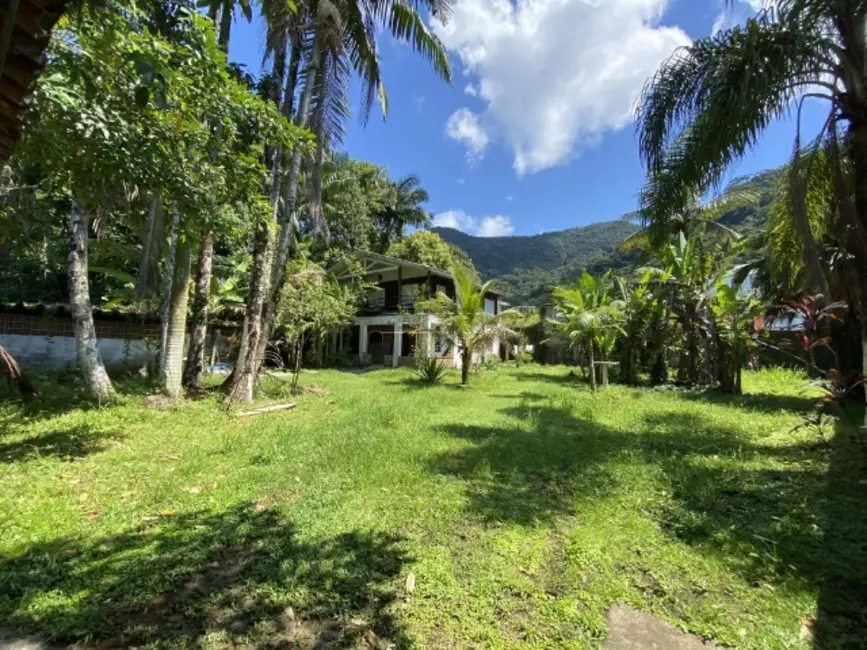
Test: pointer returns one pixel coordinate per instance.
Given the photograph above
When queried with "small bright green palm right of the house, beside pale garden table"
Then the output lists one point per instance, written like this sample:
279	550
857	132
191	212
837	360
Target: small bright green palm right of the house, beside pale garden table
591	317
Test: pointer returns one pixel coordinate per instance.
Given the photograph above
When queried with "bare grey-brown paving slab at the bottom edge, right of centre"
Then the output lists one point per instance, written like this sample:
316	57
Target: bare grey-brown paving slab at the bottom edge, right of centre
630	629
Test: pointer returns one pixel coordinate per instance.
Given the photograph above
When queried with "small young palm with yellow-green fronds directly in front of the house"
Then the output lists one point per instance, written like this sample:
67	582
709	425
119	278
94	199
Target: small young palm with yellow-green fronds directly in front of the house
464	320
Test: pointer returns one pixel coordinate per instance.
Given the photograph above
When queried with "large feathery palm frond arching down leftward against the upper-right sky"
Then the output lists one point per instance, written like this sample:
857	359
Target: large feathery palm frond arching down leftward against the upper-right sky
709	102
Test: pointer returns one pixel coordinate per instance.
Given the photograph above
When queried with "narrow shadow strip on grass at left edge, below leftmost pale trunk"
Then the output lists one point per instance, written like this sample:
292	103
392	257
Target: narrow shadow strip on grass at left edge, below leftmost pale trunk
66	444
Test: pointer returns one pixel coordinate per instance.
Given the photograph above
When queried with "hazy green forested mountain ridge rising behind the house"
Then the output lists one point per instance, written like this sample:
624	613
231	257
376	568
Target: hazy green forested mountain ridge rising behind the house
526	268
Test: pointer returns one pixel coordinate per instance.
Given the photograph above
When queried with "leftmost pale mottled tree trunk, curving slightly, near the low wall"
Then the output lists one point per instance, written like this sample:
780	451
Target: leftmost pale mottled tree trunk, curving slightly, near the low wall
89	359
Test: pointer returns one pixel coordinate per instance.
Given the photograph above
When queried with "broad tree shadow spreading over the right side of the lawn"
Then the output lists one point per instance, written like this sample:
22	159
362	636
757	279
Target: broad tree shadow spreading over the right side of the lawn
790	516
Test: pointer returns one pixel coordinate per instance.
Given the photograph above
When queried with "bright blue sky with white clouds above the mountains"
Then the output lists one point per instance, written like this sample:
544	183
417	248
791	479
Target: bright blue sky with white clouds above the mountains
535	133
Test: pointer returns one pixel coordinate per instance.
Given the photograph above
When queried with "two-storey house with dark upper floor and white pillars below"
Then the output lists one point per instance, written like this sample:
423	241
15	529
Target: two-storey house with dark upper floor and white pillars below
388	331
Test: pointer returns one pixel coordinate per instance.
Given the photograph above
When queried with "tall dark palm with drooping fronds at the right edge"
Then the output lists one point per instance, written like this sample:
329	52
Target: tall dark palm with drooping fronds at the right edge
709	103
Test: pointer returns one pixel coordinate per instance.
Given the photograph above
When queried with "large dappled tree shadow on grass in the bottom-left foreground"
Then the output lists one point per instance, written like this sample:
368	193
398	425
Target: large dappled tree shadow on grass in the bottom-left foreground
238	577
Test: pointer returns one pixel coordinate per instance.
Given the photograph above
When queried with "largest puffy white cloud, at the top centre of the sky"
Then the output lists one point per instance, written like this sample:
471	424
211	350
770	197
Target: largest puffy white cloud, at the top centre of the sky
554	74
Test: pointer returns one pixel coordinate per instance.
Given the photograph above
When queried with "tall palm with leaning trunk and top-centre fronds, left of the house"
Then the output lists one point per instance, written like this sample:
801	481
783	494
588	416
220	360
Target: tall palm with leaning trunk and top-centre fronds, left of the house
340	41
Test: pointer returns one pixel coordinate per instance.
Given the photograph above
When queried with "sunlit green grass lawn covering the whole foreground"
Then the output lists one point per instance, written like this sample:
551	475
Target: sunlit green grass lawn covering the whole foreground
523	507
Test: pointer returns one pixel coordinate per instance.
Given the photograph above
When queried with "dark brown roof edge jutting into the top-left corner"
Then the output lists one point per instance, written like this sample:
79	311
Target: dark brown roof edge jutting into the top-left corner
25	29
